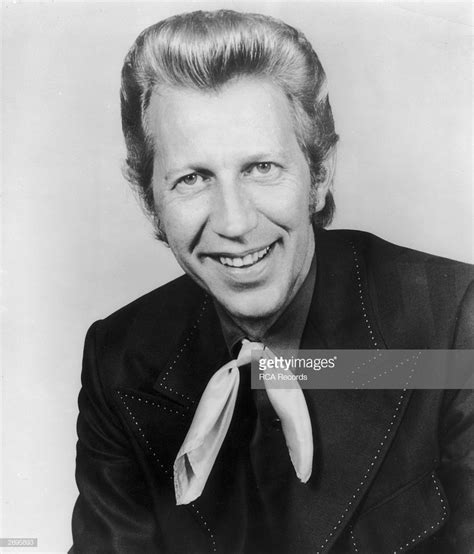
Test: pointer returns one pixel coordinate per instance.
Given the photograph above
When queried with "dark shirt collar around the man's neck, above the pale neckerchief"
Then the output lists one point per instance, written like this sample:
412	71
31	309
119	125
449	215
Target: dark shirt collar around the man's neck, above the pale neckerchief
286	332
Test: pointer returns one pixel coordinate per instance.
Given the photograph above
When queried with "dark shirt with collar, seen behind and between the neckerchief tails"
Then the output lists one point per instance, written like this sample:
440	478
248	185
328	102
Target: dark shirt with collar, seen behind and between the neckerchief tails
255	451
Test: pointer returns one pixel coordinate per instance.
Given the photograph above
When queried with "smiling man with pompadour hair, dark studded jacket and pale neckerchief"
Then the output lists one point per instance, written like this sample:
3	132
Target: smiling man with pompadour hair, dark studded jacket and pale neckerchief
231	143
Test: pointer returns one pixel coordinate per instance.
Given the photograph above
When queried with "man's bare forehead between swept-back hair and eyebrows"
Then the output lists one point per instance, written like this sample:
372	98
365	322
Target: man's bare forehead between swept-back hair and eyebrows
245	116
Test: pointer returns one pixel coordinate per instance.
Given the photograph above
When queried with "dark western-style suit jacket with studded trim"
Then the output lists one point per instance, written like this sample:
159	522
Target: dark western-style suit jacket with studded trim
393	469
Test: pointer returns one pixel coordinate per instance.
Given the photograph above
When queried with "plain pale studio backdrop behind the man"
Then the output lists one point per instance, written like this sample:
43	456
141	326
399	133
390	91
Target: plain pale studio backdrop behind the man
76	246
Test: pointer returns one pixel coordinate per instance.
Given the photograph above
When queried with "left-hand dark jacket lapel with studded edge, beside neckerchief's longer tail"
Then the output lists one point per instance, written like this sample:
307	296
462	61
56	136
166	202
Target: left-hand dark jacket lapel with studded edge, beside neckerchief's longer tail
161	413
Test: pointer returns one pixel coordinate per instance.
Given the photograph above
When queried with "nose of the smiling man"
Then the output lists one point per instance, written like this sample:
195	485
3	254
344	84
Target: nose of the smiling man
233	211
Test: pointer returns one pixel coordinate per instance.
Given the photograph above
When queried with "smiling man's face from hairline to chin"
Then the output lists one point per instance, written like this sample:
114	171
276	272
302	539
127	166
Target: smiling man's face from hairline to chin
231	187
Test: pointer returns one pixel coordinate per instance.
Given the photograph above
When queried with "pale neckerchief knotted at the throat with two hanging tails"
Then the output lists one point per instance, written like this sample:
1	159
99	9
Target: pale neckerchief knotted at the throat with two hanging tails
210	424
